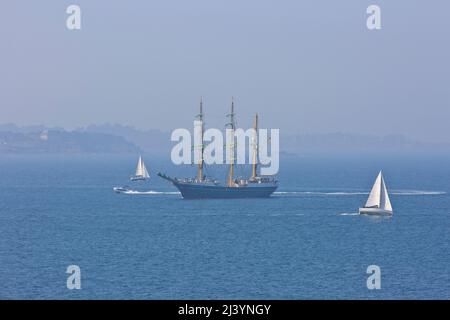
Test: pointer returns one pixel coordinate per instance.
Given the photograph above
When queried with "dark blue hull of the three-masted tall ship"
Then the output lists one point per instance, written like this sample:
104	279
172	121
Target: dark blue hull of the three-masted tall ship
199	191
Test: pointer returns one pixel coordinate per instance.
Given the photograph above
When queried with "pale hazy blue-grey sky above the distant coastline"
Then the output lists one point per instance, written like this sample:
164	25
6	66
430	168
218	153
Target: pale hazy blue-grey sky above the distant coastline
306	66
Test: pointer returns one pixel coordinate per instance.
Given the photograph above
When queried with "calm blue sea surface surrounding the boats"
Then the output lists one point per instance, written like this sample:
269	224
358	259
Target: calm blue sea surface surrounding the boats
305	242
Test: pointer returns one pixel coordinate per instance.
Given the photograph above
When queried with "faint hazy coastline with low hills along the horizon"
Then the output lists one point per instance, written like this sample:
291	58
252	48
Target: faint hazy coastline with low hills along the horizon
120	139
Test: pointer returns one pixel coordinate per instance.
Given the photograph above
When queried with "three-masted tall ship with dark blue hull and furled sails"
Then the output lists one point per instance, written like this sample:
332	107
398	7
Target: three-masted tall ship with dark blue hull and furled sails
203	187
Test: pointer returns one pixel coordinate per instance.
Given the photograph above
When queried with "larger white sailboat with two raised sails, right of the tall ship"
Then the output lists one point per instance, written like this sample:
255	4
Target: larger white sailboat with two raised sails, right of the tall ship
378	202
